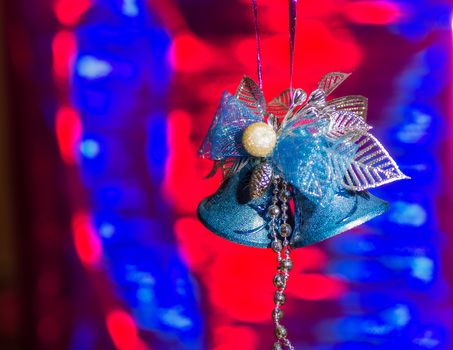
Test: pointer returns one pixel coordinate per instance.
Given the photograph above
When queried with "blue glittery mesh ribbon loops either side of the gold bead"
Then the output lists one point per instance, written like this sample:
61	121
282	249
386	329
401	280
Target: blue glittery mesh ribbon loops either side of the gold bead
303	154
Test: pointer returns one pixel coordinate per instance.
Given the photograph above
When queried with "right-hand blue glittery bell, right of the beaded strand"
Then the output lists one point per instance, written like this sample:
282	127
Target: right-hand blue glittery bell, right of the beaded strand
315	223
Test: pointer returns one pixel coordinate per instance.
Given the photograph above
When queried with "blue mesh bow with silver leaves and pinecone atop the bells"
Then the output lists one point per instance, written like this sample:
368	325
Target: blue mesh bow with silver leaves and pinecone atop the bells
321	146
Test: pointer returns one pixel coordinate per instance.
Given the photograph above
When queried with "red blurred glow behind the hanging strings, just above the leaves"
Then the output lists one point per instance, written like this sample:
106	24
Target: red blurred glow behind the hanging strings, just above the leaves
315	48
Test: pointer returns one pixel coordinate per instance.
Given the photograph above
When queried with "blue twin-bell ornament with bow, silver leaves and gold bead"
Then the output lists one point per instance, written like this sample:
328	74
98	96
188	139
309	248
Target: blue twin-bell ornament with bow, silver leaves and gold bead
316	153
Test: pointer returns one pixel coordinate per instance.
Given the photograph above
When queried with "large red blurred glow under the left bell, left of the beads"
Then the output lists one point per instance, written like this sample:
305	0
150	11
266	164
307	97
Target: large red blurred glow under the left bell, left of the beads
239	278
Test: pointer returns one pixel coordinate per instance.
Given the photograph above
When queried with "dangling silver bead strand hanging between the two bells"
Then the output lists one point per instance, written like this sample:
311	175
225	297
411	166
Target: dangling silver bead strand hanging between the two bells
280	230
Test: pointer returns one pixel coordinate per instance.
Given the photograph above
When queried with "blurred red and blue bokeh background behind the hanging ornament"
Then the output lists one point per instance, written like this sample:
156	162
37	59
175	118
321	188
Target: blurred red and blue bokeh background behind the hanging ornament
103	104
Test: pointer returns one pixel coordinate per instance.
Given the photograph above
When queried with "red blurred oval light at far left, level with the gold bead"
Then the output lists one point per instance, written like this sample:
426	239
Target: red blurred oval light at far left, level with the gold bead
68	129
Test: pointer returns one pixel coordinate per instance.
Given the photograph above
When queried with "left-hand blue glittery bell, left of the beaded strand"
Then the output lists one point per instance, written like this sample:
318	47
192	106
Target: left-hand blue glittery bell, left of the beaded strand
231	214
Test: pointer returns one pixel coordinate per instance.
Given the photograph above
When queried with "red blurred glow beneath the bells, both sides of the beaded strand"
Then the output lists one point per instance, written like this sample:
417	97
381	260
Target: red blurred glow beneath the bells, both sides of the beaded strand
224	265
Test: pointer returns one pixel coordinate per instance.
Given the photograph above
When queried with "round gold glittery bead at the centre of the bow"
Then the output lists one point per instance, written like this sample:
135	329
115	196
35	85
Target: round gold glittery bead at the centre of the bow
259	139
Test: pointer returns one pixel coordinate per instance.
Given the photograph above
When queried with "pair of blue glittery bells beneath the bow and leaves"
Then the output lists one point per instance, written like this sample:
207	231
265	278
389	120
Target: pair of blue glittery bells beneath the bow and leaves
231	214
